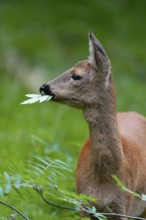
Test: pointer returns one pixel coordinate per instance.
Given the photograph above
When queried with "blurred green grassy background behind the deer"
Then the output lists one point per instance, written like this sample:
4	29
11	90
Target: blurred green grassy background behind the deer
41	39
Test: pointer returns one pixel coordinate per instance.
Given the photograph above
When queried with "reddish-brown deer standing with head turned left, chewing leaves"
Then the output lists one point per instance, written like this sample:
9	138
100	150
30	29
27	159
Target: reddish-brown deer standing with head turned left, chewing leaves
117	142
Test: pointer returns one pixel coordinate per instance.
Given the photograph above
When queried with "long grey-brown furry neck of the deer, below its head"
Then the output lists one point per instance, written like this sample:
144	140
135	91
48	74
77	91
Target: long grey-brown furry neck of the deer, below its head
105	142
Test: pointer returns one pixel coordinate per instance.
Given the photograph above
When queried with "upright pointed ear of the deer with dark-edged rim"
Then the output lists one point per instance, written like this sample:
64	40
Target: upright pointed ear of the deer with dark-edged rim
98	56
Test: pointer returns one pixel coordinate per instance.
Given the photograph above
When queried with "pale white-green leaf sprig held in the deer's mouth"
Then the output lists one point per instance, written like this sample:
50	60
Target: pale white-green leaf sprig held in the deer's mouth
36	98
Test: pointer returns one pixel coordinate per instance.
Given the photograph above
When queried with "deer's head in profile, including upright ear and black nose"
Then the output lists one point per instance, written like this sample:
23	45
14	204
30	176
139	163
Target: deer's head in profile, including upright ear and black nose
84	83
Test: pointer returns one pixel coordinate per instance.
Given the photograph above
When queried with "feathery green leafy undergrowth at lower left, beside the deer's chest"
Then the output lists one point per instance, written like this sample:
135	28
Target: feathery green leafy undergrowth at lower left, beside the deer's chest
41	175
